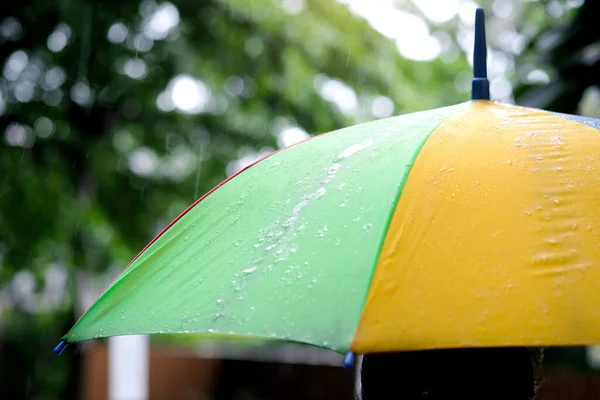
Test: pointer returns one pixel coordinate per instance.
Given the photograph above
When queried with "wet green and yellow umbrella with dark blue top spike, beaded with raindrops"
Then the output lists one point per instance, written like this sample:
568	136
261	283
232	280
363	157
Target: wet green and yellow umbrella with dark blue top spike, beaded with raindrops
474	225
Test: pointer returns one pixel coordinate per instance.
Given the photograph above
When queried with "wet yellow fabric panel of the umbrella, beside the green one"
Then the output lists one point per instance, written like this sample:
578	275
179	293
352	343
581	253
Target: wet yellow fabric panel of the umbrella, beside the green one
495	240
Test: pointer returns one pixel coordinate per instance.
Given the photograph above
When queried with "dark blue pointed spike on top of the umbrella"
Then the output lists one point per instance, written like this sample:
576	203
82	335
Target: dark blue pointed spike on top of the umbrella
481	85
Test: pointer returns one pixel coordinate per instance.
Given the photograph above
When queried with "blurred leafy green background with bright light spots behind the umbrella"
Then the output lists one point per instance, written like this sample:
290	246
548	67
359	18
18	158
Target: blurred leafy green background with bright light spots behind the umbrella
115	115
